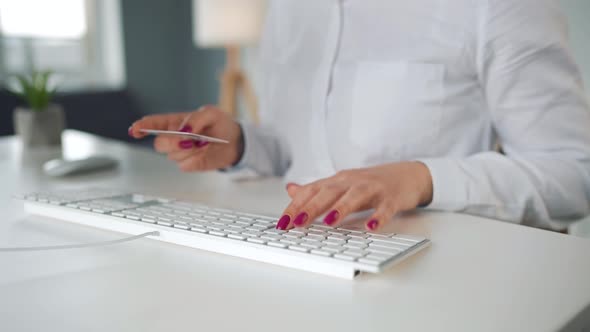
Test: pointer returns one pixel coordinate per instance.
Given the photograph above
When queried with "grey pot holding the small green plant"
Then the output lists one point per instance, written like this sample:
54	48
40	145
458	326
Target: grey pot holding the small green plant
40	128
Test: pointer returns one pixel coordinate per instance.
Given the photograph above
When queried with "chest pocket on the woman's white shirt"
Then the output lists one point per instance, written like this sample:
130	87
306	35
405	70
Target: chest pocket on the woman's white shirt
396	109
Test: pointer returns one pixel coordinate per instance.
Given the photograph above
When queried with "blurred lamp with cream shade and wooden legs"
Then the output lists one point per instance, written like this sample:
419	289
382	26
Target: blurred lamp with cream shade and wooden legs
230	24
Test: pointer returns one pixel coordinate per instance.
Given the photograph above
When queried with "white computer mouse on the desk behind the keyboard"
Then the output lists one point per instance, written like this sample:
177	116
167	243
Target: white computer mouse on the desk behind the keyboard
60	167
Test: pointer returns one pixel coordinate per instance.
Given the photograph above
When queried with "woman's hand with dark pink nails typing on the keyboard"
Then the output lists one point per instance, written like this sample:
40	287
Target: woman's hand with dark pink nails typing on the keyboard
389	189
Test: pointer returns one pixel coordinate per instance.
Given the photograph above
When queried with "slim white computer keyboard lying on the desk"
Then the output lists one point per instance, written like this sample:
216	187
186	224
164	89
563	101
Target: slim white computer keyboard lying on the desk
342	252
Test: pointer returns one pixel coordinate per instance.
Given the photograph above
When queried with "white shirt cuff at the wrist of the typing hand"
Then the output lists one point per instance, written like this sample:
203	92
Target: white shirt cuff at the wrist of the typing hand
450	192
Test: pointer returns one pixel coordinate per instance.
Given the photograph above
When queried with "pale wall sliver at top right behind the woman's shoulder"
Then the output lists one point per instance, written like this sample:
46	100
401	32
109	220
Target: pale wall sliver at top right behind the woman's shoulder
578	12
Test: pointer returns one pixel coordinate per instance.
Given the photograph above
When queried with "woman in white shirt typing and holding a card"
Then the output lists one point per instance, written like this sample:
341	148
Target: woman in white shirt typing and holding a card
392	105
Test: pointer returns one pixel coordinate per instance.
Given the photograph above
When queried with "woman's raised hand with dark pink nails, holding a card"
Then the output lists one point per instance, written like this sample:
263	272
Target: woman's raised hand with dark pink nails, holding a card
192	155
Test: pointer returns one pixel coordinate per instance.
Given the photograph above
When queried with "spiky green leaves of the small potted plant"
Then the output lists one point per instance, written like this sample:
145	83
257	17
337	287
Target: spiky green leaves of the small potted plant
34	90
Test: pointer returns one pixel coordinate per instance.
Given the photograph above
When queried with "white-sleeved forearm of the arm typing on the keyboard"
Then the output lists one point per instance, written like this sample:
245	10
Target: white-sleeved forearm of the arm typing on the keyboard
544	192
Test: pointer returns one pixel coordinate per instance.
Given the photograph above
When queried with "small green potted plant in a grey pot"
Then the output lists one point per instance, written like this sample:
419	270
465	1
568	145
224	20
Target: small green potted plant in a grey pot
41	122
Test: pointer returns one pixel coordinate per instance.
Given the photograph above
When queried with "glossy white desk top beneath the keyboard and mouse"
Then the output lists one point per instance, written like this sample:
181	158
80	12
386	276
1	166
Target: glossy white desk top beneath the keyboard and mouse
479	274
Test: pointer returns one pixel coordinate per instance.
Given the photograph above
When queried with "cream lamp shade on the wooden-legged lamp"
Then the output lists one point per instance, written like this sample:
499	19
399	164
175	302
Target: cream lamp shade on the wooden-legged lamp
220	23
